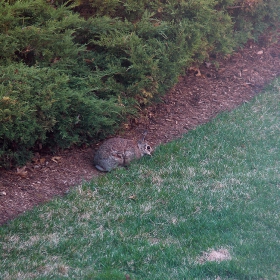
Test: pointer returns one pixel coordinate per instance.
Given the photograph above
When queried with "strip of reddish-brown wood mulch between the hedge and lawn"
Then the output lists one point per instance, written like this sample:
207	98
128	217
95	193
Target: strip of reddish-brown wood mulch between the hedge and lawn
198	96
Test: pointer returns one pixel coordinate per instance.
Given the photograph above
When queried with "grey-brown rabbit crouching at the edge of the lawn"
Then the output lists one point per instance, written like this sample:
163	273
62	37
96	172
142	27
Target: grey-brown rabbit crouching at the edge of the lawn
116	152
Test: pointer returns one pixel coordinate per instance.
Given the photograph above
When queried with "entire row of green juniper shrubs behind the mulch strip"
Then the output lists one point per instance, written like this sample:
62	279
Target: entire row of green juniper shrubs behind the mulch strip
67	80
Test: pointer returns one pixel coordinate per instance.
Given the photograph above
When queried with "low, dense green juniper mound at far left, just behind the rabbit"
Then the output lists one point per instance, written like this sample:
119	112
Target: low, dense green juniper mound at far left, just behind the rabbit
37	108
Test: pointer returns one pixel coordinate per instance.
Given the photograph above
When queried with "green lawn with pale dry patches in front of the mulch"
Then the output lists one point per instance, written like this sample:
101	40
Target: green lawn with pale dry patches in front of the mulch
216	188
